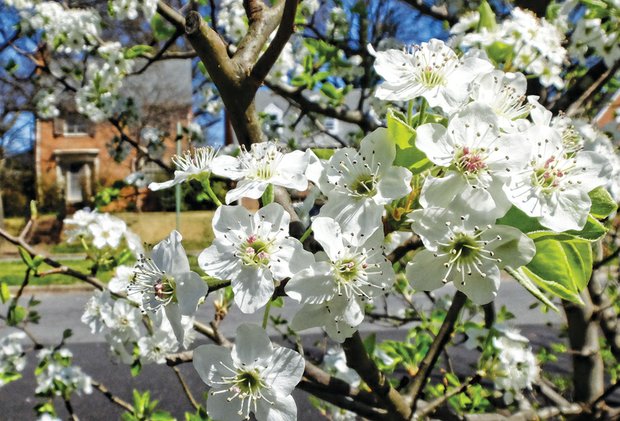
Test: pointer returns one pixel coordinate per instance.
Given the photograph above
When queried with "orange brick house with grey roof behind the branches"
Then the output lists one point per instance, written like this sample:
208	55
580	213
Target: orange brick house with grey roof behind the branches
71	153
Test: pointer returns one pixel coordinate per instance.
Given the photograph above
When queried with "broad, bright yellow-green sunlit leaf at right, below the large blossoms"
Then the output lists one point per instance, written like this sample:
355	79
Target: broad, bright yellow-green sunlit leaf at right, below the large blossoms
563	262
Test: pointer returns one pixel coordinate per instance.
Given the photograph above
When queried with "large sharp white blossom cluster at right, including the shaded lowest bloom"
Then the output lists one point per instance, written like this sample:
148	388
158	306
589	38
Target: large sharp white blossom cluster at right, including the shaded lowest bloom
491	157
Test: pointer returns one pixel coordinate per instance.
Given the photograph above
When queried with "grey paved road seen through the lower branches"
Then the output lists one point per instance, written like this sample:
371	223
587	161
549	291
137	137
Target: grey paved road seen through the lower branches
62	310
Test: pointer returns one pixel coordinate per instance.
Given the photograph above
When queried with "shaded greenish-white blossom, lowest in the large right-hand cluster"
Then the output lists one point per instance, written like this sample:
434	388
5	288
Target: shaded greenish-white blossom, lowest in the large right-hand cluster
461	251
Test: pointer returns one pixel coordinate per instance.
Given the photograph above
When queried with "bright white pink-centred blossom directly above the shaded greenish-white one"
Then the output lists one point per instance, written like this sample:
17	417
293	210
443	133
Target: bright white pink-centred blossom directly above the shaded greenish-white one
480	160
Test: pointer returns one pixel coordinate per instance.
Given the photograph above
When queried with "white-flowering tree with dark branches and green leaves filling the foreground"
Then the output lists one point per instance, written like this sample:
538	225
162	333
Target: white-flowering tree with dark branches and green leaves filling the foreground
462	173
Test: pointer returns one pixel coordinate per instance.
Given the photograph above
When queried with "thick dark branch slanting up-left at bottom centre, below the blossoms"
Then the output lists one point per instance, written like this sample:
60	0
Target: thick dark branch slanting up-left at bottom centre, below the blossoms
358	359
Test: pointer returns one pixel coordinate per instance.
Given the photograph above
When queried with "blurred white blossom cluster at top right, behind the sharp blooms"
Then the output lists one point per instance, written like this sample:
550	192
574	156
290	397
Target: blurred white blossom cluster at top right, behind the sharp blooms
535	45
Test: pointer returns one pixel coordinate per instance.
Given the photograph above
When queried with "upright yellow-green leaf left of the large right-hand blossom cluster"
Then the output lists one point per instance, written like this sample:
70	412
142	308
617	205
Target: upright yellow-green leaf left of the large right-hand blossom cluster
403	136
